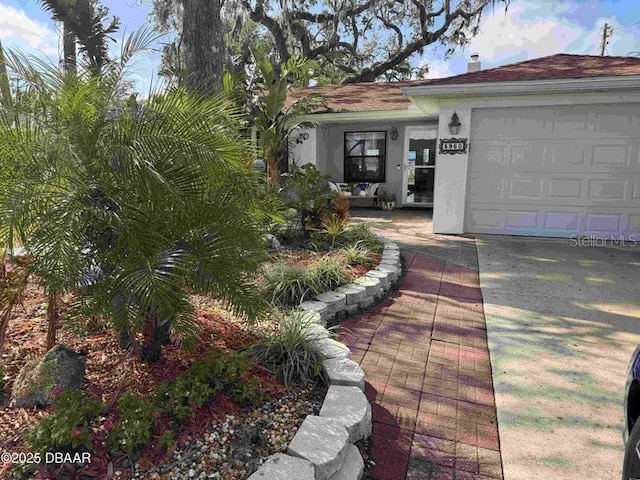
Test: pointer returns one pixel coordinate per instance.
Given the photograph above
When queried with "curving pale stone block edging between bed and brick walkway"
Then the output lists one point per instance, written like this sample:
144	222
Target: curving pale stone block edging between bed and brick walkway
323	447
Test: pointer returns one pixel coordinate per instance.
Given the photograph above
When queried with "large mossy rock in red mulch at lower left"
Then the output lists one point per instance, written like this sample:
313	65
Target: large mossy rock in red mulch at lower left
60	367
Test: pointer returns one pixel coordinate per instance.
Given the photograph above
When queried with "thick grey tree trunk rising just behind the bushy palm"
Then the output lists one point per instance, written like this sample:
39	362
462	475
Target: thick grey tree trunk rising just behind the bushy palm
203	45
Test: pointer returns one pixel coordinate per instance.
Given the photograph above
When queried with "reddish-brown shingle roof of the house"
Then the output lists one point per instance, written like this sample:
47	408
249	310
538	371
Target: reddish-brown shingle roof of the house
368	97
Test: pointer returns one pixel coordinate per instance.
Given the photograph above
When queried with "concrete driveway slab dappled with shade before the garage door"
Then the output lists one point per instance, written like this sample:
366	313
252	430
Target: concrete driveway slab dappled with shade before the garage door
562	323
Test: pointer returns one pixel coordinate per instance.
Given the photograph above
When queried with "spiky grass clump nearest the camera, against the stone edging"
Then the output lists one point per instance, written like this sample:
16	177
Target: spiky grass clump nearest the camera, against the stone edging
290	354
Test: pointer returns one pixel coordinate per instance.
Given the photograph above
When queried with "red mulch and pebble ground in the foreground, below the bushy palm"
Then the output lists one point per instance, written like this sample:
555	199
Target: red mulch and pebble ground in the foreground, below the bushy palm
224	436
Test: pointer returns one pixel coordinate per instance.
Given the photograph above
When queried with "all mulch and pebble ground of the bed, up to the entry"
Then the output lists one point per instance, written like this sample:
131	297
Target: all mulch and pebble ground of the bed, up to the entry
240	430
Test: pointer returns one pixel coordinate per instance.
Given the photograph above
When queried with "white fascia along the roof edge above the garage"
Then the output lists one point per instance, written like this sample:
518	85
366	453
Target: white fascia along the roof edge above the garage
527	87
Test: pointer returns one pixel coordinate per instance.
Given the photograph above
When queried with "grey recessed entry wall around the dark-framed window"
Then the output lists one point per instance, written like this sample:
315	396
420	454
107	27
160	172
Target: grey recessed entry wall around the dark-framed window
330	151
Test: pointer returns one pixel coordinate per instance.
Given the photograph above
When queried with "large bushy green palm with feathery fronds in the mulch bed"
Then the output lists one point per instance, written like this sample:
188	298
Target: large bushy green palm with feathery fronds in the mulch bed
131	208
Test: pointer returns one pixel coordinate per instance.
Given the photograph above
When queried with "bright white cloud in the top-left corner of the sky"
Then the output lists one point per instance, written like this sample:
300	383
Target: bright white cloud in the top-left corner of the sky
17	26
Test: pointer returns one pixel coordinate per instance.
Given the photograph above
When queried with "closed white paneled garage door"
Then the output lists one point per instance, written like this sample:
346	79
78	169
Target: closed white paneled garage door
555	171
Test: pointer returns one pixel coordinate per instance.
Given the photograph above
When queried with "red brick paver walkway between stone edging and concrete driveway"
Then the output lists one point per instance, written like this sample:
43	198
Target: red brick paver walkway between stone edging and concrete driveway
428	376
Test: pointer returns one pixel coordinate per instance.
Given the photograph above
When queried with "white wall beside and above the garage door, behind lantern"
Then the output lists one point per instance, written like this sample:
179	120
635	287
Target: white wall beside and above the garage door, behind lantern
452	170
